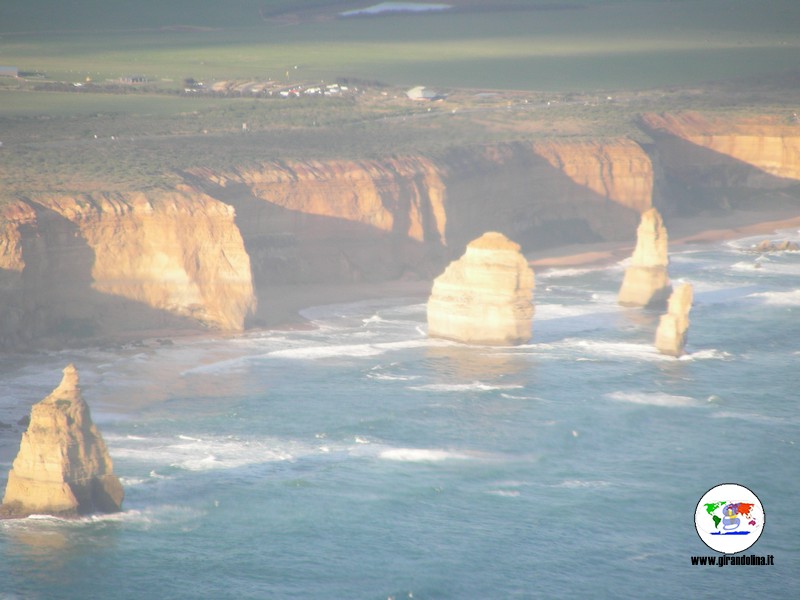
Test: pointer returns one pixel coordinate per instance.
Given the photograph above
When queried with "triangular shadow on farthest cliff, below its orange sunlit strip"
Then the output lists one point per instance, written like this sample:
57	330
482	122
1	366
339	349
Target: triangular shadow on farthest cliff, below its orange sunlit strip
697	180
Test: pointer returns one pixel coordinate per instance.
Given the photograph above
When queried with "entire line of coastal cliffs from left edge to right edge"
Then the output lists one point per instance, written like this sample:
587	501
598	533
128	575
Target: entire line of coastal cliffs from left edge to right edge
209	253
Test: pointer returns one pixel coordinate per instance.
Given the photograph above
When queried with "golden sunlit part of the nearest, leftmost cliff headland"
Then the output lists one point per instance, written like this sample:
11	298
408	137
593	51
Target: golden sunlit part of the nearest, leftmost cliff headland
176	251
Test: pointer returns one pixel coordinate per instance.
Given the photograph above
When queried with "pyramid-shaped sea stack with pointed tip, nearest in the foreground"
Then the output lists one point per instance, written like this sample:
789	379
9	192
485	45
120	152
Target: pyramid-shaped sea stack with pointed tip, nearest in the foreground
63	467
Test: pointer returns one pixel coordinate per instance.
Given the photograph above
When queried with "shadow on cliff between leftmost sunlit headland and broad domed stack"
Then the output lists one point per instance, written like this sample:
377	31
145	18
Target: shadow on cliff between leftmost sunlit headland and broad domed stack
293	248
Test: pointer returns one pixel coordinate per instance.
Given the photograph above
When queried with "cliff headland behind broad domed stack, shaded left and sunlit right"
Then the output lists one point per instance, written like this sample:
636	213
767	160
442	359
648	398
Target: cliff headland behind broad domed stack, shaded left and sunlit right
543	194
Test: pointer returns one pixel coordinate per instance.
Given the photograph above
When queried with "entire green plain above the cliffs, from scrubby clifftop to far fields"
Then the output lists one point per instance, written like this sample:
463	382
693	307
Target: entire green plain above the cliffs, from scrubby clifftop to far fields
554	65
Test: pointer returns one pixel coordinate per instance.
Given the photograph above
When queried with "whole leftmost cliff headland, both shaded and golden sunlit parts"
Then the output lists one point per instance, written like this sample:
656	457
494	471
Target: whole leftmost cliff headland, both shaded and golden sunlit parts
99	263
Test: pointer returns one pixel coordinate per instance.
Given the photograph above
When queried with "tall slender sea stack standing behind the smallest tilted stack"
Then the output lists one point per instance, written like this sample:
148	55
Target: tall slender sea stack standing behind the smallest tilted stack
646	279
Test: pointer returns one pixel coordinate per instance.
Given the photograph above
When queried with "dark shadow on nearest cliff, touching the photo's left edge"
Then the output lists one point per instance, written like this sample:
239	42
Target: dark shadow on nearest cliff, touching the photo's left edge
52	303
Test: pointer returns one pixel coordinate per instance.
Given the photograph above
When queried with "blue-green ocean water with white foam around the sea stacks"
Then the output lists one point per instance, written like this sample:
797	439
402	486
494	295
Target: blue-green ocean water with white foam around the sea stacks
363	460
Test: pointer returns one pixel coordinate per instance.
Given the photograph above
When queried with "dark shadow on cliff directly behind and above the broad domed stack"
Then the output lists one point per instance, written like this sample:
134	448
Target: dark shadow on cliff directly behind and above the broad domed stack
522	195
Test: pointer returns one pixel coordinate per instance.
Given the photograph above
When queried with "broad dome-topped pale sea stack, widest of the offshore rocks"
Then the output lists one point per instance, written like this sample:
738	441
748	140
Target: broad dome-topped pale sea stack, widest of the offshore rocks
484	297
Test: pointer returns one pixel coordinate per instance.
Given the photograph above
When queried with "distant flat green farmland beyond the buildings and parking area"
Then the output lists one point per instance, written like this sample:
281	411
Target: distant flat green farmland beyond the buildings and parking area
583	46
